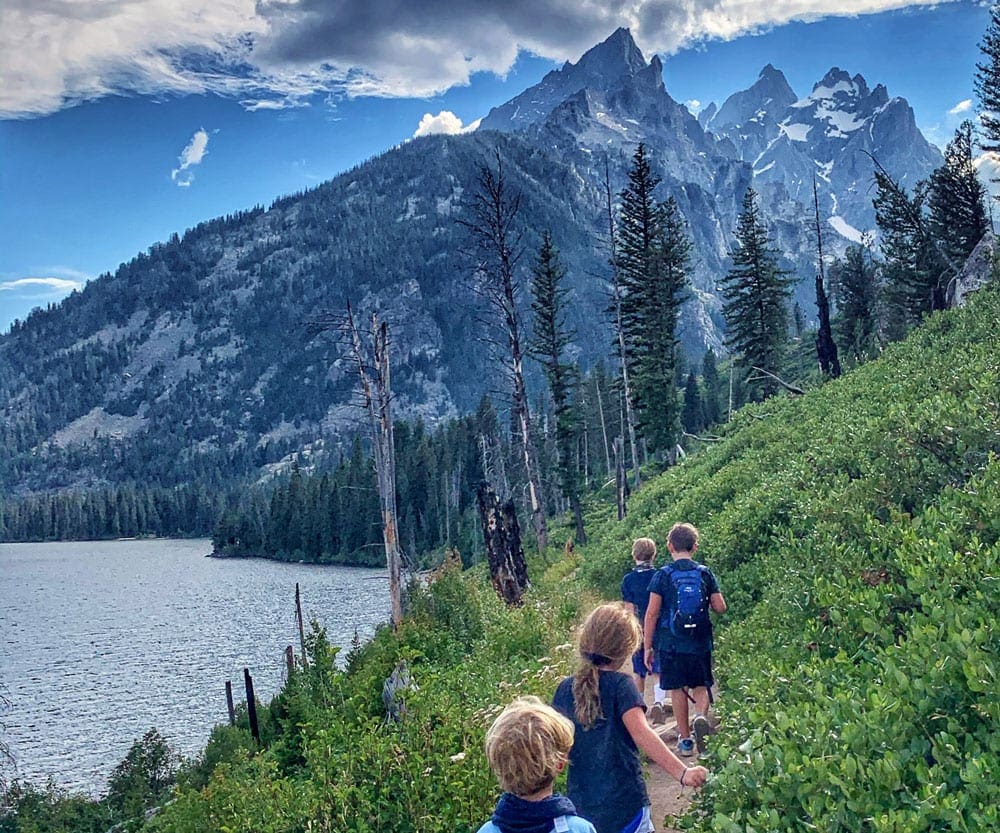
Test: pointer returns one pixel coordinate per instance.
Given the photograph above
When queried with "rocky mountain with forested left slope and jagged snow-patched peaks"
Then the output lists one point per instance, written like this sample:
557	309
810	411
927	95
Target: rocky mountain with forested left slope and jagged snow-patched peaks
192	362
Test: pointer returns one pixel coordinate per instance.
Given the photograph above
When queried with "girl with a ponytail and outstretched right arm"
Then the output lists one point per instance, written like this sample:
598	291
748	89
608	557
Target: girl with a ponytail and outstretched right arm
608	713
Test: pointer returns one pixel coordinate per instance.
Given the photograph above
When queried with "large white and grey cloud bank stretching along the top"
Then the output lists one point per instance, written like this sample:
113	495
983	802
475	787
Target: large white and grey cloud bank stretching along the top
59	53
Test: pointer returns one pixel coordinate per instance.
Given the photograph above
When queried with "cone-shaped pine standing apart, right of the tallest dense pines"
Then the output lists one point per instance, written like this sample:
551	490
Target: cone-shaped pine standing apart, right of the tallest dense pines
755	297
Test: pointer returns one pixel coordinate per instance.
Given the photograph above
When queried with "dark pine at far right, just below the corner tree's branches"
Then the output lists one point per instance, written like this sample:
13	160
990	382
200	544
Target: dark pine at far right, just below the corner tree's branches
957	201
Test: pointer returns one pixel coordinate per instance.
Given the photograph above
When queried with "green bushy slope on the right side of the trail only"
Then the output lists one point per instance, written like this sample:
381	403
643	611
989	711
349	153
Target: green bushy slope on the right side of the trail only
855	533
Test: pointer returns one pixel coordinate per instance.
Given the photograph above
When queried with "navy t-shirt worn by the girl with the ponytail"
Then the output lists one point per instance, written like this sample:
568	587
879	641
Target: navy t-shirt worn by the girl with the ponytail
605	780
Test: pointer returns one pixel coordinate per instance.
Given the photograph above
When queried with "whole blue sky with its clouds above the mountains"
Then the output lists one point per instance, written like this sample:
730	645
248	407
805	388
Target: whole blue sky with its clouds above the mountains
111	144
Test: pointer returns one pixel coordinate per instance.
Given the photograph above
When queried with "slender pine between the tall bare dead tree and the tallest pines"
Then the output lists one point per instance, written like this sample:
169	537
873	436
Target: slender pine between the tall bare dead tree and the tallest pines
551	336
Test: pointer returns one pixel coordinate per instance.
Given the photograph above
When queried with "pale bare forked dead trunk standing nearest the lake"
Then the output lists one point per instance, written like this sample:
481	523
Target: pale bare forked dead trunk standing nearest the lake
377	395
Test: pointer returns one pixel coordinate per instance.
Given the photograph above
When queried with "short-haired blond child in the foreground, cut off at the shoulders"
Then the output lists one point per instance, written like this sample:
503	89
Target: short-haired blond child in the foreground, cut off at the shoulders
527	747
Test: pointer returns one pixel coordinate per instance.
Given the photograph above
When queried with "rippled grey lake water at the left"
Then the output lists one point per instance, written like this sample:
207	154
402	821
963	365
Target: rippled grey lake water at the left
99	641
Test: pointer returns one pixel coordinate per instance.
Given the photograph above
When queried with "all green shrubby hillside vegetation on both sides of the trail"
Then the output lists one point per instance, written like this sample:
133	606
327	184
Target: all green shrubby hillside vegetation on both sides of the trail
855	534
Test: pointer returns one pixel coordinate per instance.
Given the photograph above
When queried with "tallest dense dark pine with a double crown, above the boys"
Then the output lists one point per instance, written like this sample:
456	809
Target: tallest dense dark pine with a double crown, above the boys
653	254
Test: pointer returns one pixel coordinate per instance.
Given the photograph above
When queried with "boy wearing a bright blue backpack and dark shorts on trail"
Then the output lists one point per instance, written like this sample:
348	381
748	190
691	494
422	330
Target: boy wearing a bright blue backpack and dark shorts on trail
678	628
